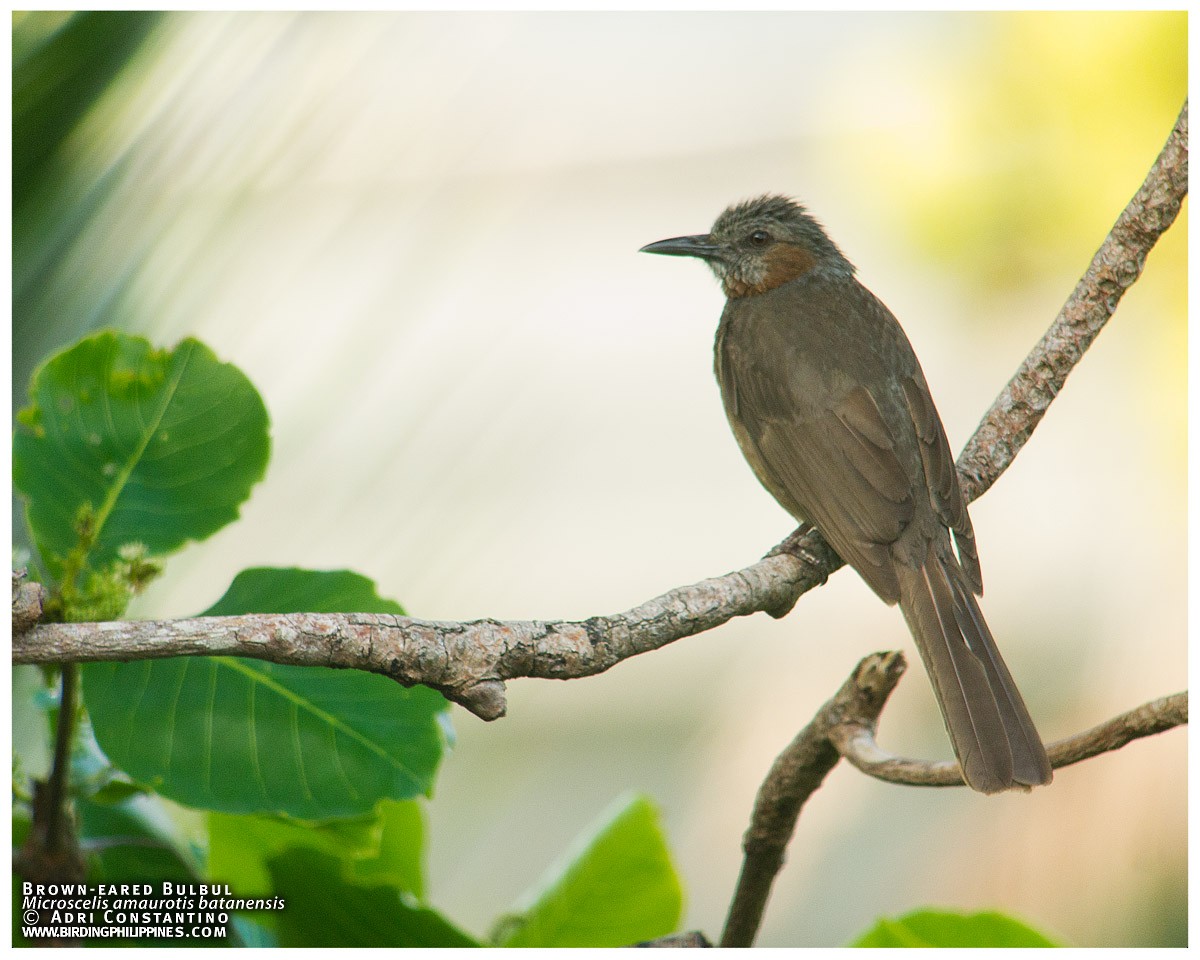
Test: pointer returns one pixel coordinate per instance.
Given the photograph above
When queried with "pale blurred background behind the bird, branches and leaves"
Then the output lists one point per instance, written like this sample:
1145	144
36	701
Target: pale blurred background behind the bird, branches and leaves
418	236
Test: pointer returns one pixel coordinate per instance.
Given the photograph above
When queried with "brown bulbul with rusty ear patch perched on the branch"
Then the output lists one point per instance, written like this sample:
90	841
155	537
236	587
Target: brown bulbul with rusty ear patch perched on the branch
831	407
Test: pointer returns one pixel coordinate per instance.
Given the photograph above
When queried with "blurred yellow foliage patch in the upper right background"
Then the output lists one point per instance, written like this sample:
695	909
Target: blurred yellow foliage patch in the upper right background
1055	122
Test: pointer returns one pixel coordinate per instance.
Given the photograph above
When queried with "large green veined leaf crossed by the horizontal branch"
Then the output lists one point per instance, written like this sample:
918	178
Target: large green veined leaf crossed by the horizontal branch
247	737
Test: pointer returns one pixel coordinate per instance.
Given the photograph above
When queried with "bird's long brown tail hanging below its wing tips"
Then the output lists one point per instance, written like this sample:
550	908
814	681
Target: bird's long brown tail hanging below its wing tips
993	735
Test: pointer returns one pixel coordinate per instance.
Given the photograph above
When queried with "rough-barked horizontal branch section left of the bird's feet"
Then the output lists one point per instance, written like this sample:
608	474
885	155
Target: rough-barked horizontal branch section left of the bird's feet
467	662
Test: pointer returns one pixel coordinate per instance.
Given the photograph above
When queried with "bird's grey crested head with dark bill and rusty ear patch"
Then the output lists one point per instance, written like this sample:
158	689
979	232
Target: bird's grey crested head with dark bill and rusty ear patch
759	245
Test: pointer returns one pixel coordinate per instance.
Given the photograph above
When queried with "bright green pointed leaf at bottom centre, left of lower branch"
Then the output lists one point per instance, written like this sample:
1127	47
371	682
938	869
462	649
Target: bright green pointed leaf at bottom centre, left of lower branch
616	887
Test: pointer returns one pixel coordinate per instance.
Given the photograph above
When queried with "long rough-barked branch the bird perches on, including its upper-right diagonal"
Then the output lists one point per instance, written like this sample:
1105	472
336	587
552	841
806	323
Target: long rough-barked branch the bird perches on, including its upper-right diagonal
471	662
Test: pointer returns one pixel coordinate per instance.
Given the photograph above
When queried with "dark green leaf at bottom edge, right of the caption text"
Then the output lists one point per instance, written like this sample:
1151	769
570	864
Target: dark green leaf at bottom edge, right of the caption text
323	910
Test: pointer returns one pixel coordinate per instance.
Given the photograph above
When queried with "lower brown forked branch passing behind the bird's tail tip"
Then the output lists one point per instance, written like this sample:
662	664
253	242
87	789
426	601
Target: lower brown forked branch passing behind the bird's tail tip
845	728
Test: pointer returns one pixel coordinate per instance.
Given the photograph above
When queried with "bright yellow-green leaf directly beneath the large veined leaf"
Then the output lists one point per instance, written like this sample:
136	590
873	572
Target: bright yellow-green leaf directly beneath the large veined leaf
387	848
